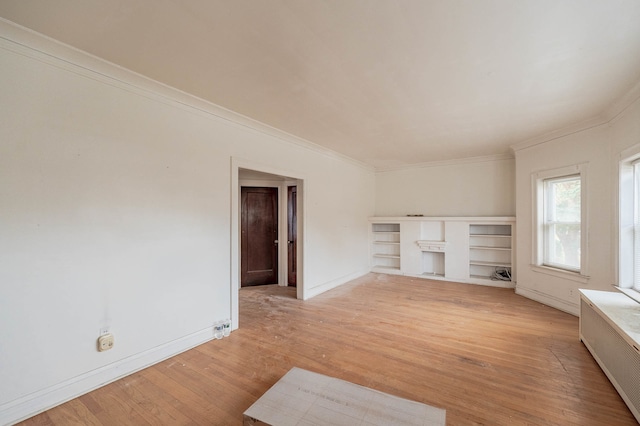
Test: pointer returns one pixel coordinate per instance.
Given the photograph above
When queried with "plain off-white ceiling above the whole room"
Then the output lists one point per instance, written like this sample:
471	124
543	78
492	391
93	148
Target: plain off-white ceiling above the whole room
386	82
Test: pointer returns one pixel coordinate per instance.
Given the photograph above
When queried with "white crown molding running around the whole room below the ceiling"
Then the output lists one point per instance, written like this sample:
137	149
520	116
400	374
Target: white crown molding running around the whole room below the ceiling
24	41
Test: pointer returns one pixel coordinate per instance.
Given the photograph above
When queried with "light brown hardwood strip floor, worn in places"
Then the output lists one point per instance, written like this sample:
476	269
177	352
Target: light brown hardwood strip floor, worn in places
486	355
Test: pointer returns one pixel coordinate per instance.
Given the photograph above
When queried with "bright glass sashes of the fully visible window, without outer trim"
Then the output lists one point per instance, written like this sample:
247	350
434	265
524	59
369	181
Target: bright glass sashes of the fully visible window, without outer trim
561	222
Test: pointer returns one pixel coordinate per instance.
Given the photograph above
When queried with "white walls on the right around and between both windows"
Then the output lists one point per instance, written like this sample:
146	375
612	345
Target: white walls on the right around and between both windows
599	147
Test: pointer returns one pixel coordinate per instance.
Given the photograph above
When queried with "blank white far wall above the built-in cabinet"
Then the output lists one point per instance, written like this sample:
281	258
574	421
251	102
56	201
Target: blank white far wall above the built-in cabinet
472	187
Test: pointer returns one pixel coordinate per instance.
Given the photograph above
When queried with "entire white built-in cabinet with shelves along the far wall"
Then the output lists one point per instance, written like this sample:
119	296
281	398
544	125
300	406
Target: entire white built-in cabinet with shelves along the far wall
475	250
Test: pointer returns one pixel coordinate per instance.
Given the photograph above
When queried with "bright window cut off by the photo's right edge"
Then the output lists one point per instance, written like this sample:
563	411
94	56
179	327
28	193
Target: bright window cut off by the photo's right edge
629	233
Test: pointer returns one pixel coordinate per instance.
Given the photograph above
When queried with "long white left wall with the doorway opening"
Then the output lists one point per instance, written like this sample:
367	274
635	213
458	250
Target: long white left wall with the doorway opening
115	212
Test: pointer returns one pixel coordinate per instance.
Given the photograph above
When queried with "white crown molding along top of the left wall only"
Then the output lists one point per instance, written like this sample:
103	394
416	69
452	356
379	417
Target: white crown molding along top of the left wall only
29	43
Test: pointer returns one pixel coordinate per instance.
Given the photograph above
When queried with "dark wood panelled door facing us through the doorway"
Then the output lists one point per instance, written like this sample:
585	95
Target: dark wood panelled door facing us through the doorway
259	241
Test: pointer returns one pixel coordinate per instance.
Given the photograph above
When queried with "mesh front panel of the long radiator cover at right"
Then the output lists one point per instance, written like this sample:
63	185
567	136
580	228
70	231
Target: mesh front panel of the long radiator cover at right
618	358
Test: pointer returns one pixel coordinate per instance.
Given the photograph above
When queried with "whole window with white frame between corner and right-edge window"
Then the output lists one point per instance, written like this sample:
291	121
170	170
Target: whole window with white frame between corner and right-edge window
560	222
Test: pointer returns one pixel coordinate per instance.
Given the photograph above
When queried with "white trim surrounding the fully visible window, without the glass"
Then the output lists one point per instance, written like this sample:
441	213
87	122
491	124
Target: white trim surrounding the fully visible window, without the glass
537	194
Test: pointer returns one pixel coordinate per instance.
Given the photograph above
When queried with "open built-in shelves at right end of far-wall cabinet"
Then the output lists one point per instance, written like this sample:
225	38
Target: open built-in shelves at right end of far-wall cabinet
490	251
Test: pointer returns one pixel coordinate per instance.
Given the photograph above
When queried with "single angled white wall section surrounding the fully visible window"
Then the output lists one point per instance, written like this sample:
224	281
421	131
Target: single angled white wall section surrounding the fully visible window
590	147
